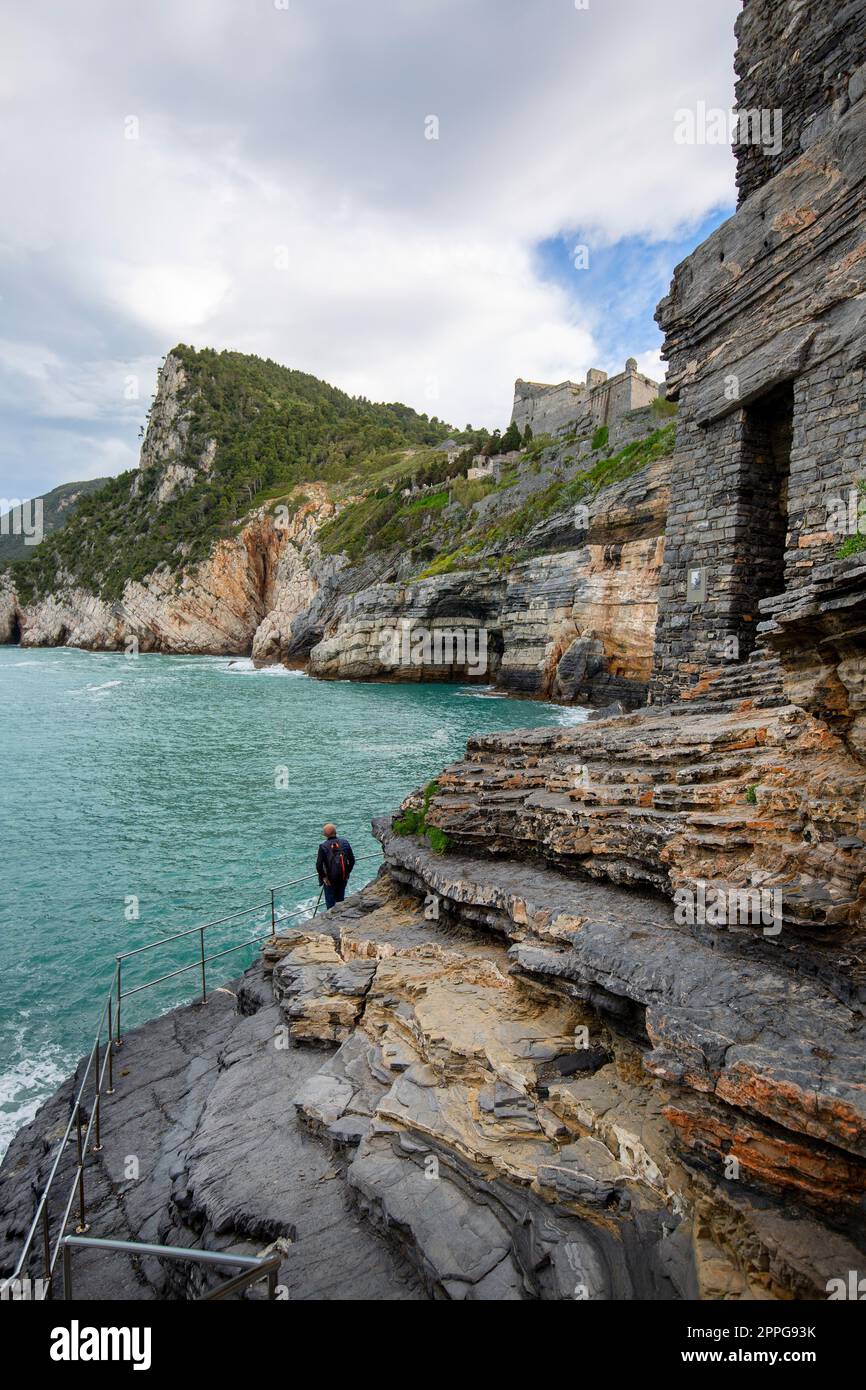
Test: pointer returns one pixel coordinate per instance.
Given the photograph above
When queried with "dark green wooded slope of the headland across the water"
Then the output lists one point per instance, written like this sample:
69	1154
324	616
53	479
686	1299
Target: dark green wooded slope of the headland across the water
273	427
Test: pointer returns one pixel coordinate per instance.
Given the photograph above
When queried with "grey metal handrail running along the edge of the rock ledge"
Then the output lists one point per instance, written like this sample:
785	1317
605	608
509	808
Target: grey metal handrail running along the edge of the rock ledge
111	1013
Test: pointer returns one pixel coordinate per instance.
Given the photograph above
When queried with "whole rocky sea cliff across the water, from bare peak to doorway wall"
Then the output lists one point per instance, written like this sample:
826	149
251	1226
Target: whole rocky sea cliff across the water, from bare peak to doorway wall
553	572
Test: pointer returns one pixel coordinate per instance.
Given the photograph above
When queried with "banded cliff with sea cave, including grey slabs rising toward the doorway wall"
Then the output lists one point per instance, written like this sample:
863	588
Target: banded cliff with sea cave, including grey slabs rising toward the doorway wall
573	623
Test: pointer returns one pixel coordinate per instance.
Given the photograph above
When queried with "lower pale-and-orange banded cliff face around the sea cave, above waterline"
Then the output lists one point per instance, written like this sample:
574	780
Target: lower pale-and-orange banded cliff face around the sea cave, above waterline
575	626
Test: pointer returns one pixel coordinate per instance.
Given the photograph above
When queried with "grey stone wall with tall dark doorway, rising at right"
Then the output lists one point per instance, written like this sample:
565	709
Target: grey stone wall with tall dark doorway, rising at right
767	340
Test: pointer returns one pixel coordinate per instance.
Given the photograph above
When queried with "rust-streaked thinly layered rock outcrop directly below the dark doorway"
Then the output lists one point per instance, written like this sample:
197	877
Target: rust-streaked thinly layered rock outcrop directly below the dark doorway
732	794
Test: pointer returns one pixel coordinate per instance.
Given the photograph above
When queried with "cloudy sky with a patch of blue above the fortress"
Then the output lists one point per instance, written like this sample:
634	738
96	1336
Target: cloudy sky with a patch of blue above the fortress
416	201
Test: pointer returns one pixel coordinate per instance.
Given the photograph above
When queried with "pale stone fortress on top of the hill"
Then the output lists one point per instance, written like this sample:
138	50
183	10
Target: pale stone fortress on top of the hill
600	401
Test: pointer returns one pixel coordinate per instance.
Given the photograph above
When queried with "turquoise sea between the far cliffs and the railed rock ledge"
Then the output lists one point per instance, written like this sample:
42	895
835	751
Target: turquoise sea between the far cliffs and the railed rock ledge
181	789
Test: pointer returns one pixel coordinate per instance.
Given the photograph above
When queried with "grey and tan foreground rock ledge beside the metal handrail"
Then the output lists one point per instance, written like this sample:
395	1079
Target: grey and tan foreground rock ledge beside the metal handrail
480	1081
